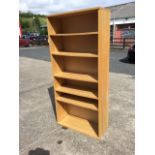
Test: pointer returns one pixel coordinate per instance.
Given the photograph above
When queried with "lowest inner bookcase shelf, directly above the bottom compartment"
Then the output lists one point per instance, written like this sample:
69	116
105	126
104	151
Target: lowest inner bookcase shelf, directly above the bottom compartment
78	101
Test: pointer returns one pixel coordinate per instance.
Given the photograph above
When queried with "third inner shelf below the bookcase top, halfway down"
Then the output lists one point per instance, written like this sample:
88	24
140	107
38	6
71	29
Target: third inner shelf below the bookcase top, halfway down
77	76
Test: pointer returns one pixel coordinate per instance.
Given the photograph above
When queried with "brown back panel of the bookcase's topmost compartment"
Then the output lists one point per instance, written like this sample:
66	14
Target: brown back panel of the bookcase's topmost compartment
77	23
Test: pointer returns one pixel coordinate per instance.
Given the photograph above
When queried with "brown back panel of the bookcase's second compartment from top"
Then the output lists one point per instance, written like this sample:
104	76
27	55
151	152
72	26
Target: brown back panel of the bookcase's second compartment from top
86	43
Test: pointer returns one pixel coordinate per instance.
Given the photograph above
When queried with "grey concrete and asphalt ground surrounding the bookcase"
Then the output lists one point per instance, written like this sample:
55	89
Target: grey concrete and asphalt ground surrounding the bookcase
39	132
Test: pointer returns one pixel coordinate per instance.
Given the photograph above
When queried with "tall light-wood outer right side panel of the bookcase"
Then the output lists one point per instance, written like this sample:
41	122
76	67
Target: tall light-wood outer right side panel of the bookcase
103	68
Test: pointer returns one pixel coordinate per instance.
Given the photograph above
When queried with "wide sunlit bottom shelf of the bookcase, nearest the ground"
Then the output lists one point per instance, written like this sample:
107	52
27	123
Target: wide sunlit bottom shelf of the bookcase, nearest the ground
81	125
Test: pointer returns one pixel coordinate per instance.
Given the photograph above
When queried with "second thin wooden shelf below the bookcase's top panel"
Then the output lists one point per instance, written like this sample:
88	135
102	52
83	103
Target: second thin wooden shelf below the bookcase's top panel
75	54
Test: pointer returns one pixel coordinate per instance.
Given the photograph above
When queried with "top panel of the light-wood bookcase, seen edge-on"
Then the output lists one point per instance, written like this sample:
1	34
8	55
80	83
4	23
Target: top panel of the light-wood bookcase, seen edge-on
75	12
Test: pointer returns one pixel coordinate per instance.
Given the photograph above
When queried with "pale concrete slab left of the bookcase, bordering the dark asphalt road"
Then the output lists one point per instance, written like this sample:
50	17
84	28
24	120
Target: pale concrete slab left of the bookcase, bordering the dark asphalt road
33	74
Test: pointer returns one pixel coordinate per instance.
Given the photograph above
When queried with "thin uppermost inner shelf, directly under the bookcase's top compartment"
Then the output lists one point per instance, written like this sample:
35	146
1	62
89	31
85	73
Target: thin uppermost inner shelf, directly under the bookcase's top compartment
74	34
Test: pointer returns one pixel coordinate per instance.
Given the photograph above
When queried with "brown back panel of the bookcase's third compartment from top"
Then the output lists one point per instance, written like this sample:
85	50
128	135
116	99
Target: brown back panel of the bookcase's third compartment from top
80	65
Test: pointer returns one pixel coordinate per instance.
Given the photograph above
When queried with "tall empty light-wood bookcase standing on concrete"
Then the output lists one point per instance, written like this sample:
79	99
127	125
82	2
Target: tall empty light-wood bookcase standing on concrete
79	50
